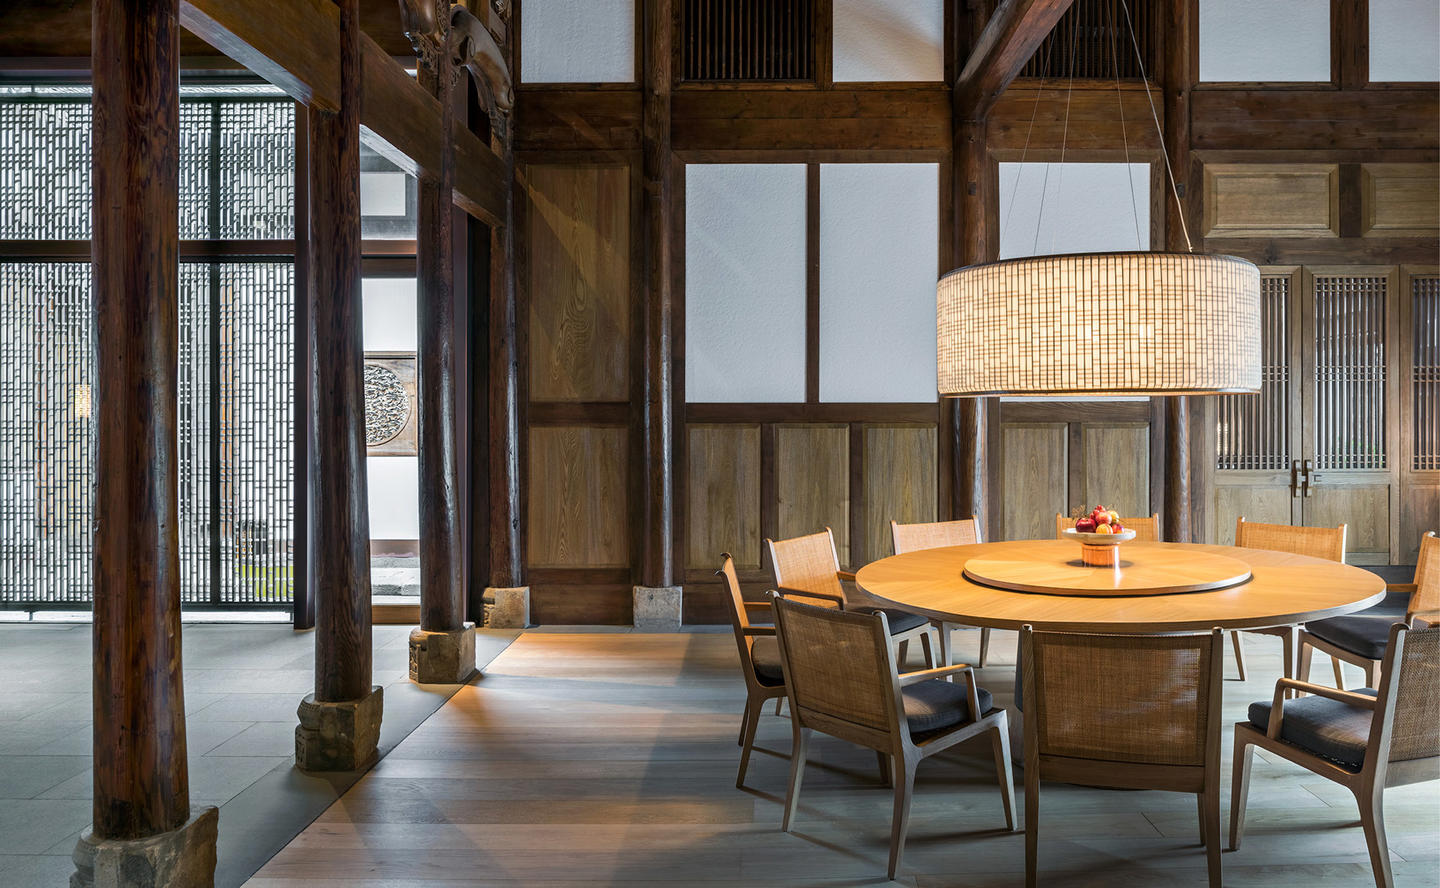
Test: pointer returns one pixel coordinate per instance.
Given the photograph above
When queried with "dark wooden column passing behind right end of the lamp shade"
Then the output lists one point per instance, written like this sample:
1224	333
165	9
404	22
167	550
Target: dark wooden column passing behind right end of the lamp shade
1177	73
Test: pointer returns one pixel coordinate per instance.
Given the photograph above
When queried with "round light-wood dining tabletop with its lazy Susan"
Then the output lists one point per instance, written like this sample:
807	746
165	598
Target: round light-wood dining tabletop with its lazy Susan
1158	588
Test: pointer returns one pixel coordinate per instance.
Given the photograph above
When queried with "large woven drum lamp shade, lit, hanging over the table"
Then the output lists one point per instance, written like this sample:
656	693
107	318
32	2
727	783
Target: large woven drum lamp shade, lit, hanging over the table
1094	325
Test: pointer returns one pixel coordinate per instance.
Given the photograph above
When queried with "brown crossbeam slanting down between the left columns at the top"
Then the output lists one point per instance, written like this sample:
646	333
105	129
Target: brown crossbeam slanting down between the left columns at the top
296	45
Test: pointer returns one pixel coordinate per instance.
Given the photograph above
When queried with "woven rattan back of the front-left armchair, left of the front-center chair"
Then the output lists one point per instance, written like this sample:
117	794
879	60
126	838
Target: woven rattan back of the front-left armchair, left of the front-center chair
839	667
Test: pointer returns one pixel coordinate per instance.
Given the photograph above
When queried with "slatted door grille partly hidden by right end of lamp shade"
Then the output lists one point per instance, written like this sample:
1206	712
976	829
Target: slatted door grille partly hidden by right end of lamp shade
1255	430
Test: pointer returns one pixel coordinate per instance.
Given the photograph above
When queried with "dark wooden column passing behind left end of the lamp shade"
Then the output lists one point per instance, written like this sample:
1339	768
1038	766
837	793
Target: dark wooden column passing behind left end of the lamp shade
966	420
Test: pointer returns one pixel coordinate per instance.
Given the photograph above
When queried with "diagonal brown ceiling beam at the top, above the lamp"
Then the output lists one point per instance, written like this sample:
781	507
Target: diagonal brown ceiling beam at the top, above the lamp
1009	41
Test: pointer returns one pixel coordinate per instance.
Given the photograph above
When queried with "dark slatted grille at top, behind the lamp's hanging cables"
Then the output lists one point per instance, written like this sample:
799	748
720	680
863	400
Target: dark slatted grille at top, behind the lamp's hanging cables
1081	42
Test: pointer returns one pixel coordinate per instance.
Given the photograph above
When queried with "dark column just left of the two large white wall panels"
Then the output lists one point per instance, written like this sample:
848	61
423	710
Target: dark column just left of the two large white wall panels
657	382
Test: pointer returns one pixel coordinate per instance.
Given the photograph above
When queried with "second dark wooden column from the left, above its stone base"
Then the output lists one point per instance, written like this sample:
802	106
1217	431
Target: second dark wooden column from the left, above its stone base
341	523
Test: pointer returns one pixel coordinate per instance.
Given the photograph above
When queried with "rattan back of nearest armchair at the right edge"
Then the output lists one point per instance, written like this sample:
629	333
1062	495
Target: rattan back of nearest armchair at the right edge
1416	729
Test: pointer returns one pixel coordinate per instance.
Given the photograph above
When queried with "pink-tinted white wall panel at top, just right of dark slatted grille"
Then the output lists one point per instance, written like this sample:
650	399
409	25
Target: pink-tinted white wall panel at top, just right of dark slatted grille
889	41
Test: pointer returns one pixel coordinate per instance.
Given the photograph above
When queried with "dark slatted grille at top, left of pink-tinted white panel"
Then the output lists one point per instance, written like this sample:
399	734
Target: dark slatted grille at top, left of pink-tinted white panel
748	41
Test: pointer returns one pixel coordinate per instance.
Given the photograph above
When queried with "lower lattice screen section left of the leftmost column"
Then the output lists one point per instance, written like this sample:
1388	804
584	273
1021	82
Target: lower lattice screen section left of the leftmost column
47	460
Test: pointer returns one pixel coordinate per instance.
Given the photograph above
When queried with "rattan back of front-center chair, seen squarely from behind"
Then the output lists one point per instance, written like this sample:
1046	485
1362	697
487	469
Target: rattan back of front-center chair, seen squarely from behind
1124	699
